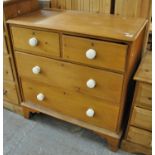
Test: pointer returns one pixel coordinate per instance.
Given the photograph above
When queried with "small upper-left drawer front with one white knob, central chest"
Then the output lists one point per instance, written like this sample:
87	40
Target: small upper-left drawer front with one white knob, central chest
36	42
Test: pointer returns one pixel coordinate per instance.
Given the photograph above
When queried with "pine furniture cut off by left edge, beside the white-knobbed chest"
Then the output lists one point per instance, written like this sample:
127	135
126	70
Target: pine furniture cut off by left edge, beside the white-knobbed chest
11	90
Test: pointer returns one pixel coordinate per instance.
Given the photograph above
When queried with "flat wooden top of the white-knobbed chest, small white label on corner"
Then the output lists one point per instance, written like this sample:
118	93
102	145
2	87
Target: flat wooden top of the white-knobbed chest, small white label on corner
98	25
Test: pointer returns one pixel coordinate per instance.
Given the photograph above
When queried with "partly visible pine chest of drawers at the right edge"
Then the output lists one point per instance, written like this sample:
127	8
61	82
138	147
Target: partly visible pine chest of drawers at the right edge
138	136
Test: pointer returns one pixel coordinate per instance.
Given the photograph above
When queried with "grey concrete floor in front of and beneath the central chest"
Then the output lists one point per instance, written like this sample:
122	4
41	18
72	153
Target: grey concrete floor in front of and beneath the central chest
44	135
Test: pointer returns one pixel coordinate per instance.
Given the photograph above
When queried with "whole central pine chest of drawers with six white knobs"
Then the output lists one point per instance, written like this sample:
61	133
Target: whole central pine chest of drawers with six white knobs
77	66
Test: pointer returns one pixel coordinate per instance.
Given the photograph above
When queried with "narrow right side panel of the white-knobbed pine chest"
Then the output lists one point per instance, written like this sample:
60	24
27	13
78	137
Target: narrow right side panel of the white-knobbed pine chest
133	57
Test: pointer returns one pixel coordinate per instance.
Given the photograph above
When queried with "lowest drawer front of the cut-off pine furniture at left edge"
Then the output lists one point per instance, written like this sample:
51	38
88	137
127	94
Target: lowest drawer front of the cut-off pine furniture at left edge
9	92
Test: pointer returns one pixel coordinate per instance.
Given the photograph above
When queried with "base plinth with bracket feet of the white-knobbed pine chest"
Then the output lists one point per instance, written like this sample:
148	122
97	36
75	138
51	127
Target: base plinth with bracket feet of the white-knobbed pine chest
112	138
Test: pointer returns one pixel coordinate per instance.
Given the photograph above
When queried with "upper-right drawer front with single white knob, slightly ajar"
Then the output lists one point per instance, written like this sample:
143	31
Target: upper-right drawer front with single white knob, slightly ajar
108	55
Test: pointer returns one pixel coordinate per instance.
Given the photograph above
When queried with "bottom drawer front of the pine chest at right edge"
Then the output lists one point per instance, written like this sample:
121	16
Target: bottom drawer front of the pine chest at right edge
140	136
